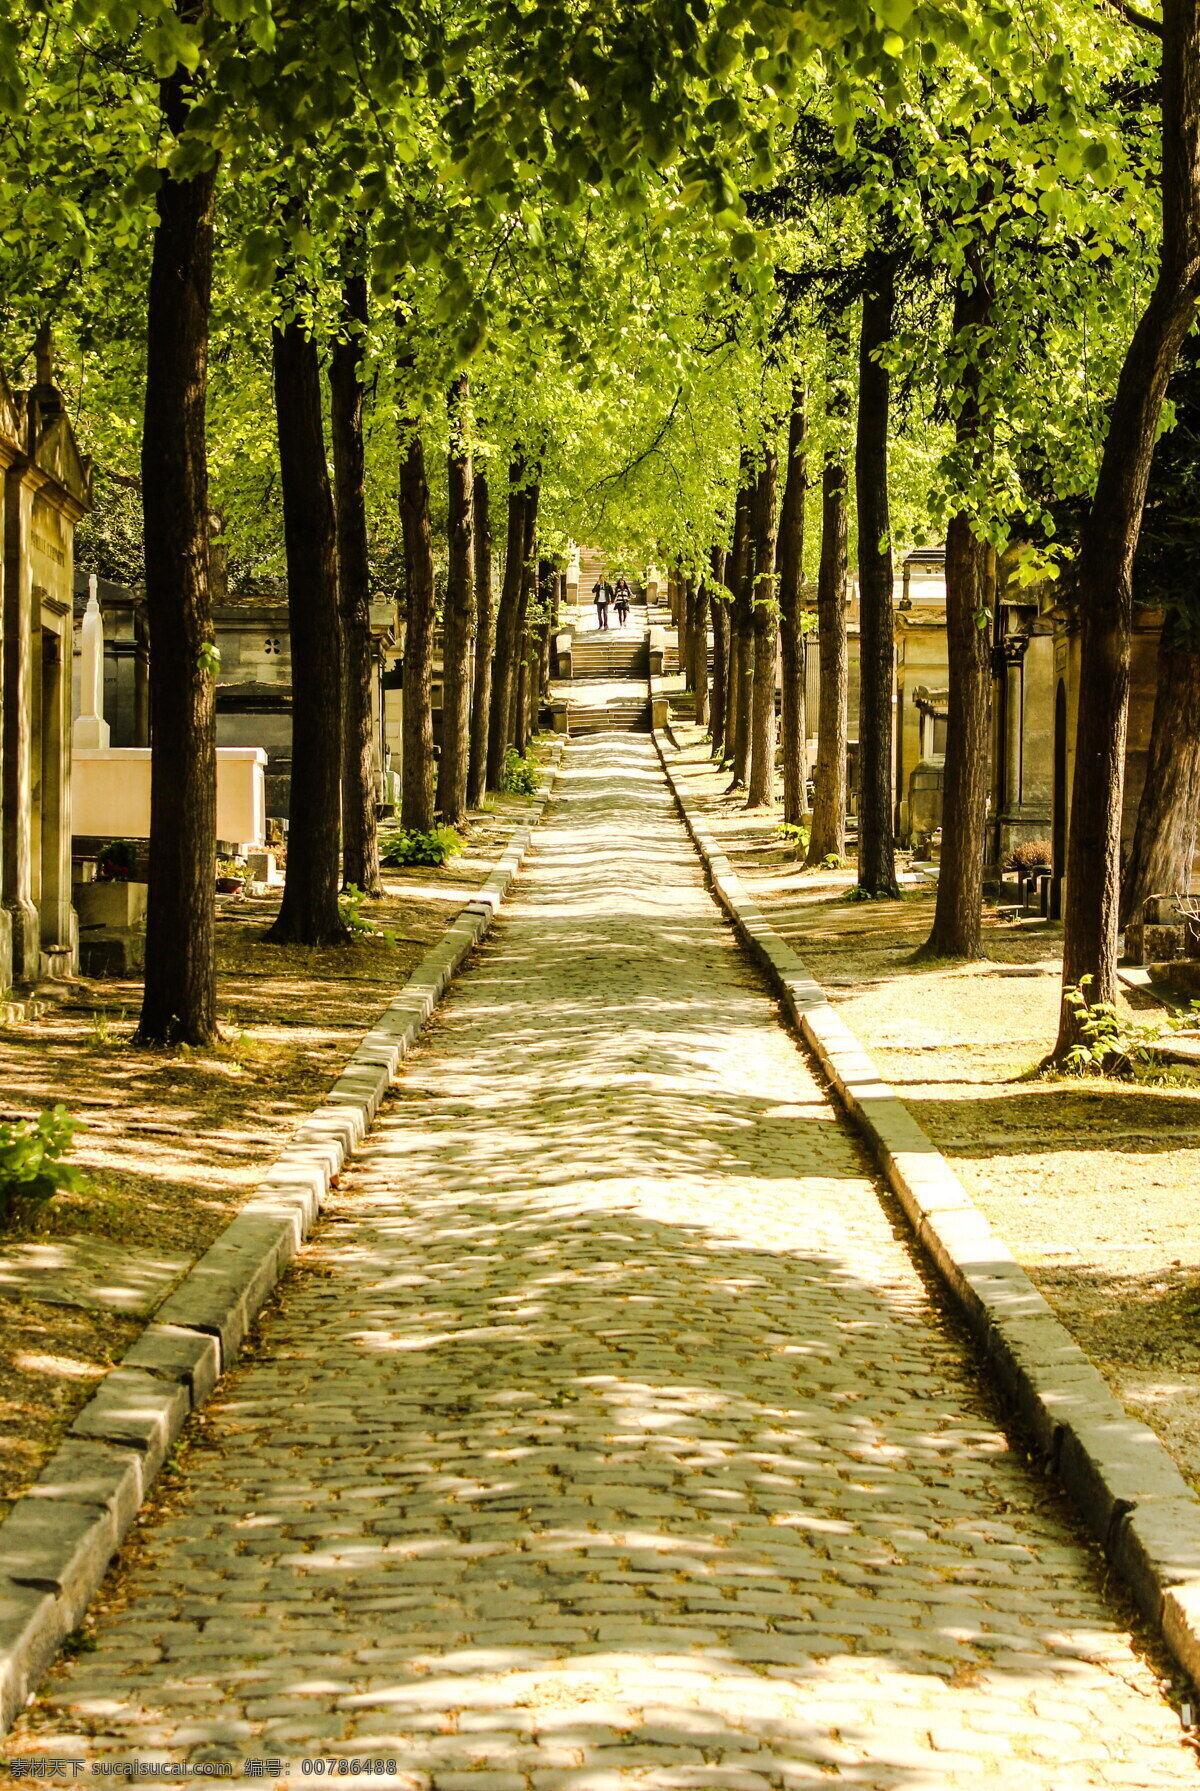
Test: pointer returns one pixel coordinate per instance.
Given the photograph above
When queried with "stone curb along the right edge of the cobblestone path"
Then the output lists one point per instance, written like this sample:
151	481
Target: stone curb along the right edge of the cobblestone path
1124	1482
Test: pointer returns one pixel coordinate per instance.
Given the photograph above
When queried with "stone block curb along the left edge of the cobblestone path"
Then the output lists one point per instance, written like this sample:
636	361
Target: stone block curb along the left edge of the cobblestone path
58	1541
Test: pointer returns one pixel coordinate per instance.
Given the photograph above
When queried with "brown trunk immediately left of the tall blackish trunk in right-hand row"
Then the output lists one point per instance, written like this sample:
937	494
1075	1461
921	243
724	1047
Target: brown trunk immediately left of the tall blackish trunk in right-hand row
828	832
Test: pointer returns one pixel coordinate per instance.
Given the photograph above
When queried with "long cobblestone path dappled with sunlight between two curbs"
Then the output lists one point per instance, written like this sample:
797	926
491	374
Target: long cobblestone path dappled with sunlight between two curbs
608	1437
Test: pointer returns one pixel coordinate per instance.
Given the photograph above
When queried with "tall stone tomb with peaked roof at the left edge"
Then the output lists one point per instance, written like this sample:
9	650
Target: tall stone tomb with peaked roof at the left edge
47	488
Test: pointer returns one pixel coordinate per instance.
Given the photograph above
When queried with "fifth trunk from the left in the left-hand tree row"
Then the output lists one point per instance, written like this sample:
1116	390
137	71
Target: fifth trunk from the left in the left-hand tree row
458	619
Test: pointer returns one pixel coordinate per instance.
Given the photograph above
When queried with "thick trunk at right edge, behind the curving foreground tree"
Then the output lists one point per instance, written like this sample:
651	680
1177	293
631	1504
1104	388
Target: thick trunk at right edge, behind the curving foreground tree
1165	839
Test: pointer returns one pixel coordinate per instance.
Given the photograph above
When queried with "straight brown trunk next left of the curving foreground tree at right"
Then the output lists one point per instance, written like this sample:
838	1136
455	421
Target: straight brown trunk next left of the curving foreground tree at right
970	601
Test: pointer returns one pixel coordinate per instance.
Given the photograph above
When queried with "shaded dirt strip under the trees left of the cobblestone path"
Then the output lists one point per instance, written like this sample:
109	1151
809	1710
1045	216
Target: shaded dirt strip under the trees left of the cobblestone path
178	1140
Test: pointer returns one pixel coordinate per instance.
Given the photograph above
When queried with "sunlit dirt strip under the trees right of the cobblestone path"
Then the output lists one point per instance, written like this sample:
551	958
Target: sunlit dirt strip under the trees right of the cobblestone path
1092	1183
